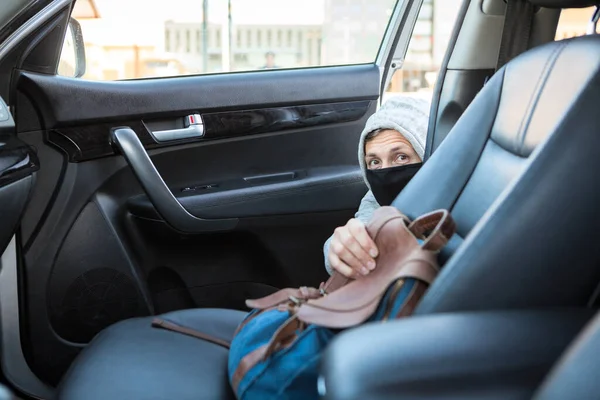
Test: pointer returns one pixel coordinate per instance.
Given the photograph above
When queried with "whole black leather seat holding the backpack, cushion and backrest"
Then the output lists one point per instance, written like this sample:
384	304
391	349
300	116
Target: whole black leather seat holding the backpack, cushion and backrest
510	170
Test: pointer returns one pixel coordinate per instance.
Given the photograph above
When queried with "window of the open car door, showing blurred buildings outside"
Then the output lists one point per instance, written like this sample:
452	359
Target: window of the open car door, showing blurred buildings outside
127	39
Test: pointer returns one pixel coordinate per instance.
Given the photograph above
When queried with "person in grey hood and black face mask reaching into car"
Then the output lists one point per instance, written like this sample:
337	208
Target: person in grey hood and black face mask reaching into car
390	152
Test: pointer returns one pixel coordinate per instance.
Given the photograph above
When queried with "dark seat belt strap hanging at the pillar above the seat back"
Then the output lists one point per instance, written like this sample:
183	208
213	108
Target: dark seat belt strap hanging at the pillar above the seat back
516	32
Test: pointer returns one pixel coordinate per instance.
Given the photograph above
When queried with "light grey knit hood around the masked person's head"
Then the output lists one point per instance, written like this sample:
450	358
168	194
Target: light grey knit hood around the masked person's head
405	114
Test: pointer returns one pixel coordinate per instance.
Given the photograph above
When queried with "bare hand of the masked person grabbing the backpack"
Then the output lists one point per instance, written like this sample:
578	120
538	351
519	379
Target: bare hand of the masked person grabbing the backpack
352	252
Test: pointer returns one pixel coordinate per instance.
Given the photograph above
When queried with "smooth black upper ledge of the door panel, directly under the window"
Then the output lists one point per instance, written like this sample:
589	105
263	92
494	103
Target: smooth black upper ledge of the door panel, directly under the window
122	100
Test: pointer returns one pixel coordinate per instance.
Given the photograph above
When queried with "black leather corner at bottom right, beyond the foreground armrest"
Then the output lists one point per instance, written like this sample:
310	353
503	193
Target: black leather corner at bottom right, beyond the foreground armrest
576	375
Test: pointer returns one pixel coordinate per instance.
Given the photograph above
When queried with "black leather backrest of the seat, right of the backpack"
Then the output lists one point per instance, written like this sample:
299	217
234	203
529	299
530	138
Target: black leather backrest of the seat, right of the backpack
519	174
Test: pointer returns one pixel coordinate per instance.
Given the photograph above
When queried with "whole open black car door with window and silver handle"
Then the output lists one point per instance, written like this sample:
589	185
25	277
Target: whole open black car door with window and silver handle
187	186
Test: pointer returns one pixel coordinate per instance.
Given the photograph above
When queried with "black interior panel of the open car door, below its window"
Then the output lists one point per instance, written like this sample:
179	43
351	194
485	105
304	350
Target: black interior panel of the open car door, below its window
278	156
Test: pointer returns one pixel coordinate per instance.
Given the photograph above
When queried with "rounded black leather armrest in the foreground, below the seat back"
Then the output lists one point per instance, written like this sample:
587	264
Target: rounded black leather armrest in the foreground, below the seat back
477	355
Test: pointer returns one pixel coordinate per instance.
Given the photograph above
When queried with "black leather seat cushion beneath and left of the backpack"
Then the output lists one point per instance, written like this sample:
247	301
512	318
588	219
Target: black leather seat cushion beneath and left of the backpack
131	360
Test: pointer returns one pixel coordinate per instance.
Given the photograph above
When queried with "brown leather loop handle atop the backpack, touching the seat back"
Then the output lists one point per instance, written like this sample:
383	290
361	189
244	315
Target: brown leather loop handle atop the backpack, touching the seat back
435	228
